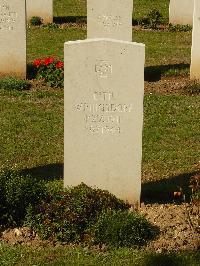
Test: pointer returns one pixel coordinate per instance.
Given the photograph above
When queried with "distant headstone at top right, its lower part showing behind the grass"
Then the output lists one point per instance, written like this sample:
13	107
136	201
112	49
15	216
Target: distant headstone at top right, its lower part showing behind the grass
181	12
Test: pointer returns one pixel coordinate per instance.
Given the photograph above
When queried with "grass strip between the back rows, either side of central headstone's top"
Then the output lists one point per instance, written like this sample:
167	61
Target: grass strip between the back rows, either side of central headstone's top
162	47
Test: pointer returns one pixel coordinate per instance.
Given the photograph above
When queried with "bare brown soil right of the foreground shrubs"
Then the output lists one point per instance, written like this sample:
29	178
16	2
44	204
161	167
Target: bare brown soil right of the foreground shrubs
178	225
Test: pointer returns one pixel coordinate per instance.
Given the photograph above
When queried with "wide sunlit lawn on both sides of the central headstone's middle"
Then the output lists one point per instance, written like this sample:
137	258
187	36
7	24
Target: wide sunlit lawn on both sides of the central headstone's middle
31	131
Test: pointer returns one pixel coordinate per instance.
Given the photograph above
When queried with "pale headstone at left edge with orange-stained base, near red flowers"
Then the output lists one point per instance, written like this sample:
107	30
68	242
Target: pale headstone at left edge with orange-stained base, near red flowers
12	38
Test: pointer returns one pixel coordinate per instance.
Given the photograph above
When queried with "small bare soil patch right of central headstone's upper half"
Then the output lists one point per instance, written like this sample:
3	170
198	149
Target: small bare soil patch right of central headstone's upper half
167	85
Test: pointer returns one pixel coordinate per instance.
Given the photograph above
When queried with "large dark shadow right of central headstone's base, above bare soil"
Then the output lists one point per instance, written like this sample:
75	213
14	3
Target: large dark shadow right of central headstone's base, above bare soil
162	191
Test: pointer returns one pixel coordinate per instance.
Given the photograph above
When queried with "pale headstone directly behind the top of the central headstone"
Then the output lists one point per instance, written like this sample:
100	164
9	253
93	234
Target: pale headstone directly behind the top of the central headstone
110	19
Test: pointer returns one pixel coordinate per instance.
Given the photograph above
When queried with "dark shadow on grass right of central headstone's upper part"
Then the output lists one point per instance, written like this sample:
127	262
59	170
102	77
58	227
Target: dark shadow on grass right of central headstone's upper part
154	73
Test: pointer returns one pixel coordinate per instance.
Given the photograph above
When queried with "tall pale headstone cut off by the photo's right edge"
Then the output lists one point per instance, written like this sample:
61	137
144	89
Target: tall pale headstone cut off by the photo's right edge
195	58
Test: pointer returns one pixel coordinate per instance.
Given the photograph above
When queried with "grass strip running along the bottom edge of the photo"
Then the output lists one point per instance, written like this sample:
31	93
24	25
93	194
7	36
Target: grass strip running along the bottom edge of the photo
78	256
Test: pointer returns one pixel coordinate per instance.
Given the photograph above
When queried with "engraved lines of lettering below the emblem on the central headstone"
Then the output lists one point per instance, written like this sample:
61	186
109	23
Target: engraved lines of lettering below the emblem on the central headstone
103	116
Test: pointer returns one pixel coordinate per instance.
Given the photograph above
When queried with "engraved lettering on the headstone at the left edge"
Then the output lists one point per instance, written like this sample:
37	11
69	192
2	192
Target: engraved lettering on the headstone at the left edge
7	18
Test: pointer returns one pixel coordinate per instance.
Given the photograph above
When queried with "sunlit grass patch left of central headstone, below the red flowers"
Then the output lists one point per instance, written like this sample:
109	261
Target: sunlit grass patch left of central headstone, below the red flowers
31	128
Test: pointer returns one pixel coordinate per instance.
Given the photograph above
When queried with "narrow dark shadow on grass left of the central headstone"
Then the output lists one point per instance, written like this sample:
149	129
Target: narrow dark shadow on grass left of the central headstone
46	172
